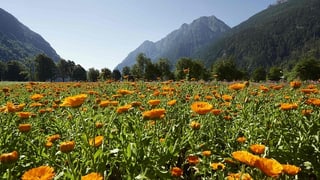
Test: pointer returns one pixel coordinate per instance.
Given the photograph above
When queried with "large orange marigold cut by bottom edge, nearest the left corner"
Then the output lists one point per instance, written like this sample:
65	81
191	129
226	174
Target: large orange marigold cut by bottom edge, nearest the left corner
42	172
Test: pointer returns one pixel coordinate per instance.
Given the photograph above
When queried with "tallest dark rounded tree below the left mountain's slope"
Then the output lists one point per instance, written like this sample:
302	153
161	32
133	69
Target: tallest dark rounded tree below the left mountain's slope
45	68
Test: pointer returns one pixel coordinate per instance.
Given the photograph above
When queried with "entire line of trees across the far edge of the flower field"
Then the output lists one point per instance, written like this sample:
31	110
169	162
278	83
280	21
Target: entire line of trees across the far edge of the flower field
43	68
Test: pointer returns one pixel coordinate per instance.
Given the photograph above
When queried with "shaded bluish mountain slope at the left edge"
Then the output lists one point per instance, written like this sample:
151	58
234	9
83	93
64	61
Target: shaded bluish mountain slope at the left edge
18	42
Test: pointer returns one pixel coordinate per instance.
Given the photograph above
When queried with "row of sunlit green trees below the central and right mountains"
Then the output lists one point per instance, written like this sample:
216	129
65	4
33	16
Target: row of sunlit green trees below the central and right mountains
224	69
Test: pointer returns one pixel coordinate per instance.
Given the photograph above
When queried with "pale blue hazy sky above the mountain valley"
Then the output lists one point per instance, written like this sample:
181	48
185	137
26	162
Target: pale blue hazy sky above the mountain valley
101	33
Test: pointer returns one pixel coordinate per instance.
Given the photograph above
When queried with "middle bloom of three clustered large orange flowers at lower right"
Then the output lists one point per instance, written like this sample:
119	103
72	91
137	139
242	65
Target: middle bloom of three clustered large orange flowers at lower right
270	167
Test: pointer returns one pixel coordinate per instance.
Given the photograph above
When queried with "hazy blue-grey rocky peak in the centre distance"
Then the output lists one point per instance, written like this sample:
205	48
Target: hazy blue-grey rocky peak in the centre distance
183	42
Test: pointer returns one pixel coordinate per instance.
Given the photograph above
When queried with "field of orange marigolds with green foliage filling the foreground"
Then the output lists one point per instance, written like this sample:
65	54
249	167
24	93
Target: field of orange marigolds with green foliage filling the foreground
159	130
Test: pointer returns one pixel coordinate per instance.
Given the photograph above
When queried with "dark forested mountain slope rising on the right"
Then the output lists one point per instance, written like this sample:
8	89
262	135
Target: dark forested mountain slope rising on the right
277	36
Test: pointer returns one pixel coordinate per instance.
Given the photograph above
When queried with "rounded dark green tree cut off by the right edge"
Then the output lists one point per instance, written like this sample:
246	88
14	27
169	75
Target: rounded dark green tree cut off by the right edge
307	69
